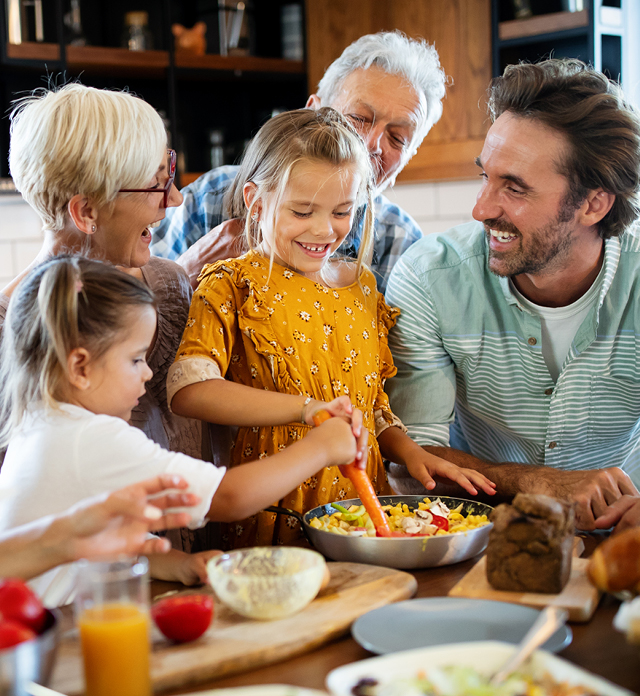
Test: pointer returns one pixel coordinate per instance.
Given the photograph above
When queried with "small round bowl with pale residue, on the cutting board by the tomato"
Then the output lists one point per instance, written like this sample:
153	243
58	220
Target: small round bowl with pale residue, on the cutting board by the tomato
267	582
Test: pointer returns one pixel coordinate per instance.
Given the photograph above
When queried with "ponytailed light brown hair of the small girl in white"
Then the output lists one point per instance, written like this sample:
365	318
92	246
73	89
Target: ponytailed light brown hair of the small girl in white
65	303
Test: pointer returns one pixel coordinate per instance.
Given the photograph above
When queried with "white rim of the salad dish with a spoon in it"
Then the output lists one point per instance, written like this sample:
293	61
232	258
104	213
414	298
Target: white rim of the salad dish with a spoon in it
485	656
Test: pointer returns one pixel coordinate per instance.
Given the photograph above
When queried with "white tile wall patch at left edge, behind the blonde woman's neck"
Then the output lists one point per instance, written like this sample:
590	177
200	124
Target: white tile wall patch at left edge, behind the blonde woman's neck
20	236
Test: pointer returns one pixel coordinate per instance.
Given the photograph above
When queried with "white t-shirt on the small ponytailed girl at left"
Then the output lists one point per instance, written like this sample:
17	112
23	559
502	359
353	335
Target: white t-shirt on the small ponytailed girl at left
58	458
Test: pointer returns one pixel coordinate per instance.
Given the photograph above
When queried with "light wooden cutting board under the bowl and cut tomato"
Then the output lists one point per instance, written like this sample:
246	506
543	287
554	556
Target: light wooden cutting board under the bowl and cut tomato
234	644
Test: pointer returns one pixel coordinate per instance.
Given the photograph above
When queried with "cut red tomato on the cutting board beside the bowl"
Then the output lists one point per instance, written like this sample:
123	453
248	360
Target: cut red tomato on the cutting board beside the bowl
183	618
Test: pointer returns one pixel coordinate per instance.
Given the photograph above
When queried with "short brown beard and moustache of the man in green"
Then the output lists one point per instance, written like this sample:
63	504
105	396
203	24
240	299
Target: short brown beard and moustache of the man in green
546	248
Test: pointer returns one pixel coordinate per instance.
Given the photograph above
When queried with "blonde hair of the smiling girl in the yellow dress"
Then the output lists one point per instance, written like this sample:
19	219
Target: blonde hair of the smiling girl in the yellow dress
309	135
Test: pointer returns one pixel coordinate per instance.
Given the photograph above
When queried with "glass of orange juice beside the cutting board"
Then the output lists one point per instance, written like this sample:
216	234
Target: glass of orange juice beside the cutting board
112	613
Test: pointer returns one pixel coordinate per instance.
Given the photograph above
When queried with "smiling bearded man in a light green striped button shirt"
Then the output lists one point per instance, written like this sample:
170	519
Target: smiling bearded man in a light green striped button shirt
517	347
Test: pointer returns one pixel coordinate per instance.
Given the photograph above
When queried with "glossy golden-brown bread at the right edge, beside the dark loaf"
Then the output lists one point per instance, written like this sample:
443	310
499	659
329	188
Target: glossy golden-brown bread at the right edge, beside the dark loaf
615	564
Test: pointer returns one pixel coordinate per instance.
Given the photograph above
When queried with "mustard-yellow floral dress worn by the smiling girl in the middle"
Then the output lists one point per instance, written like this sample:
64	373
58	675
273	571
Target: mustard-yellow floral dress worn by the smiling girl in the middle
284	332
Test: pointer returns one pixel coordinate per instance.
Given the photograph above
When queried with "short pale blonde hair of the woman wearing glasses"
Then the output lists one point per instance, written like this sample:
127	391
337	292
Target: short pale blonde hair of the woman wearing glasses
81	140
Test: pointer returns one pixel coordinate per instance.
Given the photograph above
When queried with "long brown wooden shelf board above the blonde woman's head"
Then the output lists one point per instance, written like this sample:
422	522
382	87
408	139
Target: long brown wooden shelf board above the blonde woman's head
103	59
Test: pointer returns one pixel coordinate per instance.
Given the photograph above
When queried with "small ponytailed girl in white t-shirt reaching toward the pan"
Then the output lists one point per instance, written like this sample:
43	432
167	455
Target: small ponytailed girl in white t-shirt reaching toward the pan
72	366
